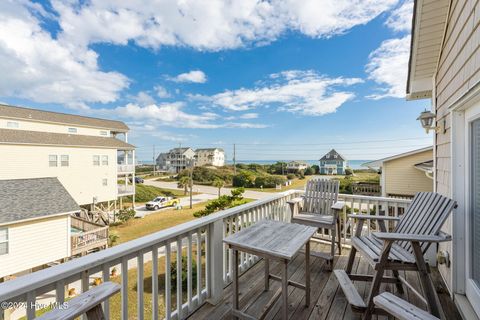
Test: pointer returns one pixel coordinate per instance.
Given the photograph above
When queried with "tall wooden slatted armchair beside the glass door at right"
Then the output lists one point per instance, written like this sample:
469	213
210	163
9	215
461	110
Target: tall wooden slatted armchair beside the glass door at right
402	249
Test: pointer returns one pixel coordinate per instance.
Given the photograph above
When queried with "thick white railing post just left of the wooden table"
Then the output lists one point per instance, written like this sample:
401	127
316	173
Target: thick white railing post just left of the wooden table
215	261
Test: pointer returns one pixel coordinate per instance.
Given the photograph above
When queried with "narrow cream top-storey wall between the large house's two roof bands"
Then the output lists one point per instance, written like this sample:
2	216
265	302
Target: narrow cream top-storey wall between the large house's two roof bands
50	127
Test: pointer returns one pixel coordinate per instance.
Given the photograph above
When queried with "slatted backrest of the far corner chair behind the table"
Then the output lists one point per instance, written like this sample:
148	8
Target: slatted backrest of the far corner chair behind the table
320	196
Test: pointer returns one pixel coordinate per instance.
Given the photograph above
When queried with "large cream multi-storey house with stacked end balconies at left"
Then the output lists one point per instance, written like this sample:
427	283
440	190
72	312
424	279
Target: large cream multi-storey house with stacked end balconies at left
87	155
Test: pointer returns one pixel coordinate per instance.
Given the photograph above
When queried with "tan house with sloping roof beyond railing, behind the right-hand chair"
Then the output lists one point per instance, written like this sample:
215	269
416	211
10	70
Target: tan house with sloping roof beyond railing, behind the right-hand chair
405	174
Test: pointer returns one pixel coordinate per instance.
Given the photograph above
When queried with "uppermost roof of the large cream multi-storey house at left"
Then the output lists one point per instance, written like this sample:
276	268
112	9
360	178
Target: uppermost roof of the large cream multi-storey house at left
21	113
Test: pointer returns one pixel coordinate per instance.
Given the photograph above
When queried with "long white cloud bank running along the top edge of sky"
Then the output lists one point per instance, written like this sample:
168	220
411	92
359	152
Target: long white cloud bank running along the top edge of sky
208	25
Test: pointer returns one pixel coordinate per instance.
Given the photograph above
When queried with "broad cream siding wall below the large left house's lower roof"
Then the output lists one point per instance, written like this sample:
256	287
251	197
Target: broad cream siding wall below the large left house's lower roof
81	178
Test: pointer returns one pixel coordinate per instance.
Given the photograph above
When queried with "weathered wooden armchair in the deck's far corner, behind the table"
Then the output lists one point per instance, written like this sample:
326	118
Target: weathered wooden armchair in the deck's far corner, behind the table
319	208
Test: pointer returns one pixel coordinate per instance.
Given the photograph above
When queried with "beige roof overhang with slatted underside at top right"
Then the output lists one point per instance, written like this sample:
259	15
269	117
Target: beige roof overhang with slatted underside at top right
428	27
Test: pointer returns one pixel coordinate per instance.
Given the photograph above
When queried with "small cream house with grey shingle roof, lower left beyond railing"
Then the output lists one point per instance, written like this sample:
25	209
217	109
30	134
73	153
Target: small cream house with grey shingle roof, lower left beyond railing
34	224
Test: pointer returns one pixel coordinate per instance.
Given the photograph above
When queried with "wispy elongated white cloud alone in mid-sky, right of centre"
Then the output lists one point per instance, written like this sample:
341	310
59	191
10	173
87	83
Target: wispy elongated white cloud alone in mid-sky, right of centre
296	91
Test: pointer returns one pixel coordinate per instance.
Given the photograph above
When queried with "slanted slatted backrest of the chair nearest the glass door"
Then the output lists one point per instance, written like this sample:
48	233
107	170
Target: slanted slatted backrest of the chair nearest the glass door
425	216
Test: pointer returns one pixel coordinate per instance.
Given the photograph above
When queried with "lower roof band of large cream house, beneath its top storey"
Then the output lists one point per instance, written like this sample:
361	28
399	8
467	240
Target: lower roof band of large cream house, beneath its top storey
13	136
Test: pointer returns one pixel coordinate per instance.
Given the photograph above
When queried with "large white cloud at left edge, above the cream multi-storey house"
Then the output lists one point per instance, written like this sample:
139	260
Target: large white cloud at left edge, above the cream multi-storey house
37	67
